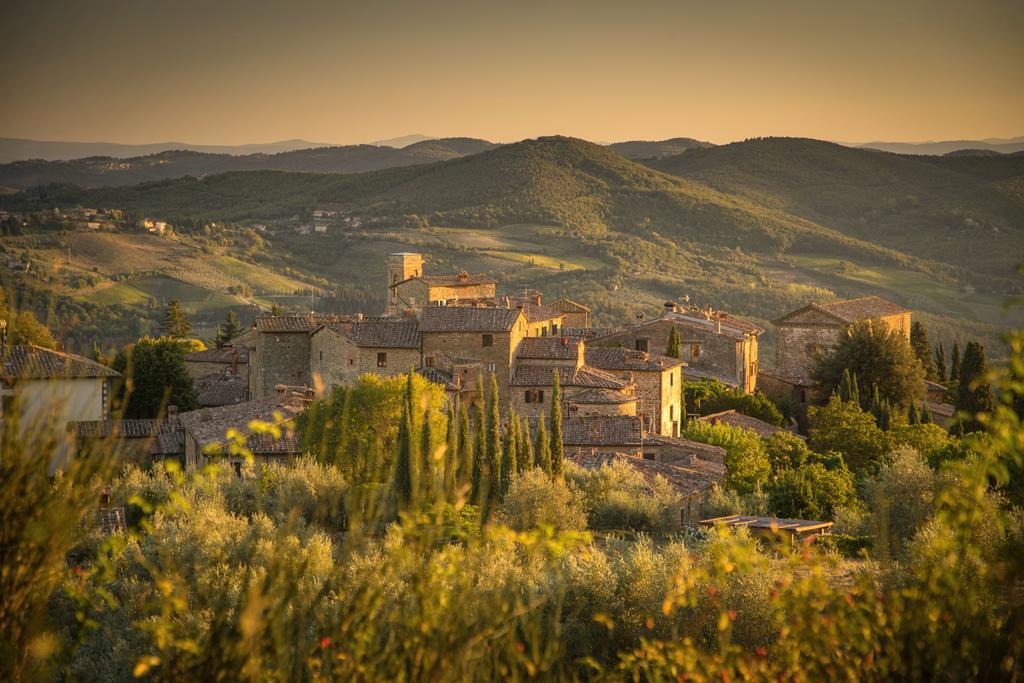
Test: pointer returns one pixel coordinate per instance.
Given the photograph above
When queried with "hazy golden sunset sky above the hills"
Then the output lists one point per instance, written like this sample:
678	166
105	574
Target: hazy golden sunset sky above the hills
228	72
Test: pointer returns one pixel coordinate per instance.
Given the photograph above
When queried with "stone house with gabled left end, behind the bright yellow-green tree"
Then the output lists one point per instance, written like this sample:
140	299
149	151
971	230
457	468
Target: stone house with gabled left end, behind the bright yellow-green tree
342	352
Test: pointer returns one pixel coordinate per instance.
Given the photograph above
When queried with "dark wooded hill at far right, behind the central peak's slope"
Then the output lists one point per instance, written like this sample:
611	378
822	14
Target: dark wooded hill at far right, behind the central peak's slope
949	209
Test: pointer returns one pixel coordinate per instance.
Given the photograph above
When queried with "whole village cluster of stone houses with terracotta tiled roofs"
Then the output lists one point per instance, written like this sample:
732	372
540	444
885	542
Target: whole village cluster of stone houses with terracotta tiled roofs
622	397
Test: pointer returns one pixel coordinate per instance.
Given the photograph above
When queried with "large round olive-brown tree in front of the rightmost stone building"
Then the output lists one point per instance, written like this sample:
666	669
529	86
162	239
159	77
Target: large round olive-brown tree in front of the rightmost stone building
879	358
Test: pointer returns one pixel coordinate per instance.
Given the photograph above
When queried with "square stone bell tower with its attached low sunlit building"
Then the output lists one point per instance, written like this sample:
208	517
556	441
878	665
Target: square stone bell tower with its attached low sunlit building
410	289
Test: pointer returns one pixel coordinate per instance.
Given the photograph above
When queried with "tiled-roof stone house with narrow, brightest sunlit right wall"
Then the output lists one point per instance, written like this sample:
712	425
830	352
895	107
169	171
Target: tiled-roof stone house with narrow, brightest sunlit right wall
659	381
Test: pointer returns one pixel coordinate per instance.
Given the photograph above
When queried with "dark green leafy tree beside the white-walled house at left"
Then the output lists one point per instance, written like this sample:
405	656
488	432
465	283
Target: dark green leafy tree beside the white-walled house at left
156	376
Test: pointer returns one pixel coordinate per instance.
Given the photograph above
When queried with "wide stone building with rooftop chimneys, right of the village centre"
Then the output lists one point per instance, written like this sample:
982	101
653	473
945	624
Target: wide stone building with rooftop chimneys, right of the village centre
714	345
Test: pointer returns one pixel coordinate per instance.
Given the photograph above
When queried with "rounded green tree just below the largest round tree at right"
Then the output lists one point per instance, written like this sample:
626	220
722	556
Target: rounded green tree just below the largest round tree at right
843	428
